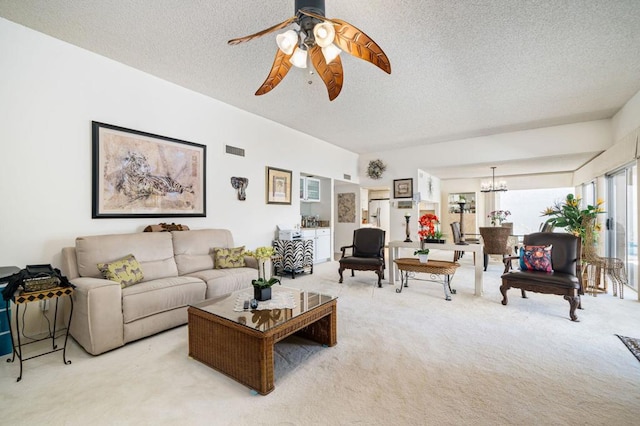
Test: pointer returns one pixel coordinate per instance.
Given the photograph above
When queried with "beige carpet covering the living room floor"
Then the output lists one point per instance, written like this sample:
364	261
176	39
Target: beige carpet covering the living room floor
409	358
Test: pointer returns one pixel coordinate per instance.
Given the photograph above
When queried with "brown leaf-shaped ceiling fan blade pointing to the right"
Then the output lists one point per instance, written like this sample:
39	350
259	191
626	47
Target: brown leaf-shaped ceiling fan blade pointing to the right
357	43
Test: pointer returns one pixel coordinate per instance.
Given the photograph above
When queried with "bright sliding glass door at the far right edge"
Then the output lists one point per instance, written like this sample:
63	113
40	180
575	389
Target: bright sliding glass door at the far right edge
622	219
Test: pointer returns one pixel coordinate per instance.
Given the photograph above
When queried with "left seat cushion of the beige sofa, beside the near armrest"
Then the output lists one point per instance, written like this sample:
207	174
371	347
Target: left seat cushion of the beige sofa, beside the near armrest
156	296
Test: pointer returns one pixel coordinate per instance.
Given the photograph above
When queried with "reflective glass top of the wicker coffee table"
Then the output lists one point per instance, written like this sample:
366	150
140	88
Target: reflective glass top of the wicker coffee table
230	306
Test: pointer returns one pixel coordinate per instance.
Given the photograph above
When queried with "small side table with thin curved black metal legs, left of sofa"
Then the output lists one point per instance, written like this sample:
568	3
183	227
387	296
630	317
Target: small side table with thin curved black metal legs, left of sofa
22	298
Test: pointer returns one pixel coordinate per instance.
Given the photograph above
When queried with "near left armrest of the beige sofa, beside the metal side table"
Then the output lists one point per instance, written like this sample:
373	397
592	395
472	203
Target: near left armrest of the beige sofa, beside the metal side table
97	323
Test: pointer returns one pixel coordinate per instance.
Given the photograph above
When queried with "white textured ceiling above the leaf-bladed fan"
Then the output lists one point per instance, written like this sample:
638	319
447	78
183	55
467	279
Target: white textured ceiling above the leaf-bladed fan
459	68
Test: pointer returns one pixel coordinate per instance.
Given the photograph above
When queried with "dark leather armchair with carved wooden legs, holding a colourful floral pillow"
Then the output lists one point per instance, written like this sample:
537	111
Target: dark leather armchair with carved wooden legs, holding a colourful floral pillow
565	278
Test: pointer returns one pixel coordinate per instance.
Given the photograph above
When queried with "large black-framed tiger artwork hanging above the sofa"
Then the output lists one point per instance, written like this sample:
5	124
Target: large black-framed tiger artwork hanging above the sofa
138	174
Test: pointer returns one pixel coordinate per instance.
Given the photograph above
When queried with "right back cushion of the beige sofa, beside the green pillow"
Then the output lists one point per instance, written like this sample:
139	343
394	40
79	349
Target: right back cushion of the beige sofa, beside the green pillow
194	249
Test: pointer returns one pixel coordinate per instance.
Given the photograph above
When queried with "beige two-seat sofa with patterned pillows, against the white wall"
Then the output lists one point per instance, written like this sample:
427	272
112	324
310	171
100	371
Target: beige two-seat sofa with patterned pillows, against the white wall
178	270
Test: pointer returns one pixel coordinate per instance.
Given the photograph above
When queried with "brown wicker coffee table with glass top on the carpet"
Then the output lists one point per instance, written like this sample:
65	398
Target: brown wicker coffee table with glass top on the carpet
240	344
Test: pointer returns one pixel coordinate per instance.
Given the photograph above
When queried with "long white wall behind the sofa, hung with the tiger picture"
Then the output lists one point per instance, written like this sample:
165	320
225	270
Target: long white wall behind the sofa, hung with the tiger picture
50	92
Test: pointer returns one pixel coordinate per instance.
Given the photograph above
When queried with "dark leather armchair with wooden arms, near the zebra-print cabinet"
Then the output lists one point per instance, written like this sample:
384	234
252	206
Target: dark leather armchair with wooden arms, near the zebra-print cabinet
367	253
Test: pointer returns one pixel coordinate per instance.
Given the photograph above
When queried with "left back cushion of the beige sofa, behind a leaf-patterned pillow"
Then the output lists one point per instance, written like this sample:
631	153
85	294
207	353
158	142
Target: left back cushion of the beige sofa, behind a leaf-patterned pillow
153	250
